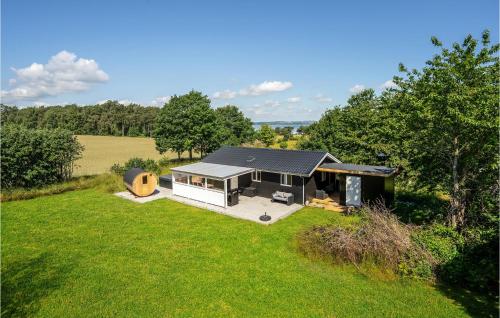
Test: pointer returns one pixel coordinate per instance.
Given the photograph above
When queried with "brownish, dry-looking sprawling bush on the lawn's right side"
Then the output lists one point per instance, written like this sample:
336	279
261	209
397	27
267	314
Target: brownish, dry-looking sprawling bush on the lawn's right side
381	239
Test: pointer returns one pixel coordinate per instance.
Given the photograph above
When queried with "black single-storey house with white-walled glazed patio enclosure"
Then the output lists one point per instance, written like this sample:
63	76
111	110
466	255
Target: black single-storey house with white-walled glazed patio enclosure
222	176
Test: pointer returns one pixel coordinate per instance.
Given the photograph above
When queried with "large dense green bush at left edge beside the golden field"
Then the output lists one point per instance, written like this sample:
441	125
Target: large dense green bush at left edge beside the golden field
37	157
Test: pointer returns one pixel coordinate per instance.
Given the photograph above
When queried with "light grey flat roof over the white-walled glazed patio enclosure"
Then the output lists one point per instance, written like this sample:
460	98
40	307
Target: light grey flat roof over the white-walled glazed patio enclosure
212	170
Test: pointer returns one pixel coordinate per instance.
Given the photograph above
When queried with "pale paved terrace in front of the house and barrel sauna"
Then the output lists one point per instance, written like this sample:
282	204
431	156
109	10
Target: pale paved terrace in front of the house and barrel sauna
248	208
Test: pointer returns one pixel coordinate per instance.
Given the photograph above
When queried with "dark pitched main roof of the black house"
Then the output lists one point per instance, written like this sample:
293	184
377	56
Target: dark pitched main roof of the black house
298	162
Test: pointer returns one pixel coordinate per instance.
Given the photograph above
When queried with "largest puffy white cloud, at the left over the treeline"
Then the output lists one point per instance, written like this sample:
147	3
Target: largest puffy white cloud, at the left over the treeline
63	73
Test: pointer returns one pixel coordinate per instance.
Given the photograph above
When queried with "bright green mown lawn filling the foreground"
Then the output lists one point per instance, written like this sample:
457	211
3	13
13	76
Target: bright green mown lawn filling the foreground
88	253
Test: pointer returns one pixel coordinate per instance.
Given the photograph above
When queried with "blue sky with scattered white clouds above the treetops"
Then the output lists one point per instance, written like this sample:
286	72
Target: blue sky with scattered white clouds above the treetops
276	60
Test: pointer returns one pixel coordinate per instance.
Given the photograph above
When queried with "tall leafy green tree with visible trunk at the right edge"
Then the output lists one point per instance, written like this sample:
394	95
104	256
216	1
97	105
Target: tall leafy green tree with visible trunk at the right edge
450	109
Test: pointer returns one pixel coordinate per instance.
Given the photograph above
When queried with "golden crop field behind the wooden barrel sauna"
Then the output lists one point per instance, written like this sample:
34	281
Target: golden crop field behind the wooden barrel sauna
101	152
